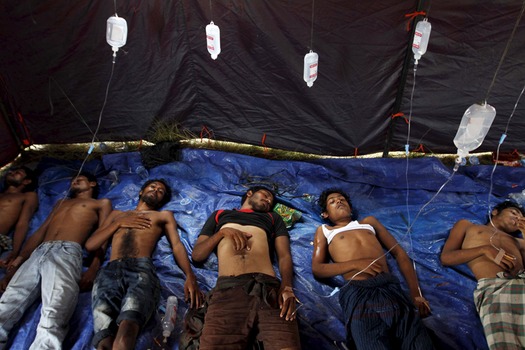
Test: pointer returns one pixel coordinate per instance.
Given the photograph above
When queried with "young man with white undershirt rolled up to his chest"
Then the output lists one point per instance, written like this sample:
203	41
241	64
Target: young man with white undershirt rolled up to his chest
378	314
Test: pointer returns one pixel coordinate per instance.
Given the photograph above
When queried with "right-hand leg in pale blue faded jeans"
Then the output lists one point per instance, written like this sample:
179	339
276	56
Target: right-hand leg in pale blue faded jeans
61	266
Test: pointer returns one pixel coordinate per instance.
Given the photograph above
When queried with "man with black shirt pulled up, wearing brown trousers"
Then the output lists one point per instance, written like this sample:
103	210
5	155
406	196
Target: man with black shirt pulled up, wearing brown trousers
247	295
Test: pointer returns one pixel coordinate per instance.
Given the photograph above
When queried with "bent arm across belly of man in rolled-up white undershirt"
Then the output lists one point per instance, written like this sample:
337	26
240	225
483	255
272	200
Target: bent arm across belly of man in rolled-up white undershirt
323	268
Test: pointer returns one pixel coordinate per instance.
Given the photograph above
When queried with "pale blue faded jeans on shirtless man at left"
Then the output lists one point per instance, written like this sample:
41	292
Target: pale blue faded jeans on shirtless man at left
52	272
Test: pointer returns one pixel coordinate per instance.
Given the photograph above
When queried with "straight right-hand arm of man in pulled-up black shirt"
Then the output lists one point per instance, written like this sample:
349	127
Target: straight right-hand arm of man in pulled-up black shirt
287	296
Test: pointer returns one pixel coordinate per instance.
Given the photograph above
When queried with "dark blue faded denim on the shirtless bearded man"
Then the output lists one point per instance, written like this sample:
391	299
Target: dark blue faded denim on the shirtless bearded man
125	289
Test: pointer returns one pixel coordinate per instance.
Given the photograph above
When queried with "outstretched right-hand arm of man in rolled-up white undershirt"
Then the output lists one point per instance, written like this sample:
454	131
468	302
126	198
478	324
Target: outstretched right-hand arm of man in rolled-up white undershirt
403	261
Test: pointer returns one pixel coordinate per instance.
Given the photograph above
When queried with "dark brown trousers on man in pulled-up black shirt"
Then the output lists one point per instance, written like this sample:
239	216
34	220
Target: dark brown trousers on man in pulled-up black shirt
245	309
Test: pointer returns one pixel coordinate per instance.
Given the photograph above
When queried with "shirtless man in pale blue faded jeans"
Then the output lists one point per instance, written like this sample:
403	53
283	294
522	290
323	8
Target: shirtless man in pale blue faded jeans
53	265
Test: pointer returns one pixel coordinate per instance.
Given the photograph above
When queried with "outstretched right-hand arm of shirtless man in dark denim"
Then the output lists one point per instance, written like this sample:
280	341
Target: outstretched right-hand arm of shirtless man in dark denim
191	288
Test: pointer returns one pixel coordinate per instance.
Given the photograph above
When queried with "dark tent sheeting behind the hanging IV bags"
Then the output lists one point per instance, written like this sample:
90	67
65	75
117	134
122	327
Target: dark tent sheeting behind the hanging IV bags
55	66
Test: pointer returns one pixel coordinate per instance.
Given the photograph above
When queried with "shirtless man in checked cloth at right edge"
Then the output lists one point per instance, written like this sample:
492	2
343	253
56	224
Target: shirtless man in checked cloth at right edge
496	256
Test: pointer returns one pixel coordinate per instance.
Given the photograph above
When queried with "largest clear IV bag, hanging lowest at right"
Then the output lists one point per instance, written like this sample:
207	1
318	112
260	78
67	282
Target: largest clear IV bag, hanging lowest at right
473	128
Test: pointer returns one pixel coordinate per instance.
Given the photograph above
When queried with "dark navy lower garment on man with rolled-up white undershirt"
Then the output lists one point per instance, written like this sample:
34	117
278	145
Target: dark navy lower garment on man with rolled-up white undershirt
380	315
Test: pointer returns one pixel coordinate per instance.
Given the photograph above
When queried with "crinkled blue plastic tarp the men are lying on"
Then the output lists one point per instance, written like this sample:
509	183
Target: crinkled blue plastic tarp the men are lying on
393	190
